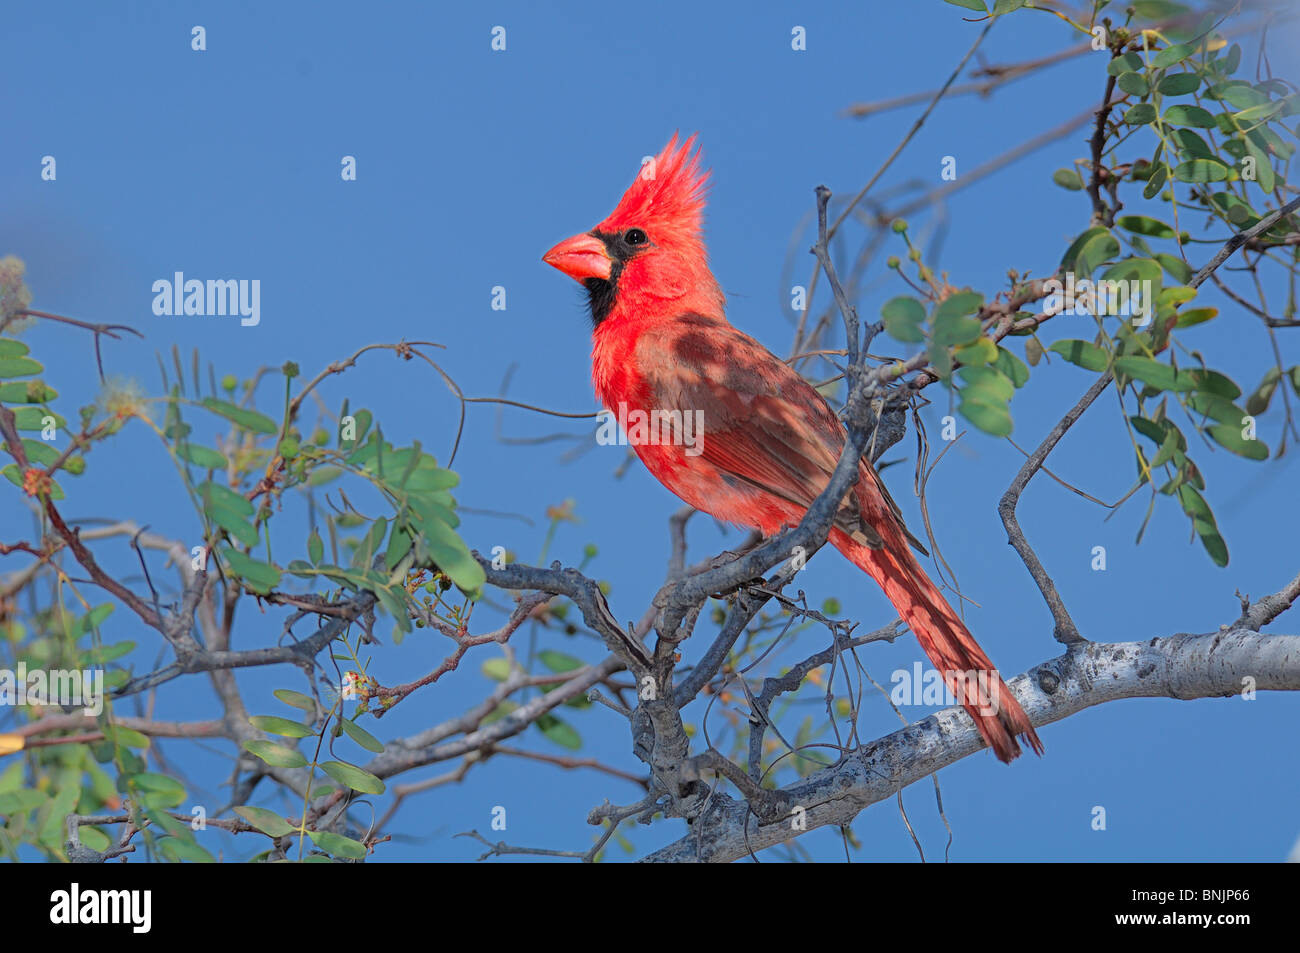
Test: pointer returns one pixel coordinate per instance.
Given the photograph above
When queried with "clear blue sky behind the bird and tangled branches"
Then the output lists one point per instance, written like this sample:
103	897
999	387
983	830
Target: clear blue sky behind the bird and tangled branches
471	164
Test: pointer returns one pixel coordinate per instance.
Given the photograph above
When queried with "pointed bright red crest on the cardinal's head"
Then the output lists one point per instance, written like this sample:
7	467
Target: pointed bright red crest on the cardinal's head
669	194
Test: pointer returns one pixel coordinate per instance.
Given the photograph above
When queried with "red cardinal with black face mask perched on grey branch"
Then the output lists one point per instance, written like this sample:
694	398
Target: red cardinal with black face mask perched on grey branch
768	444
